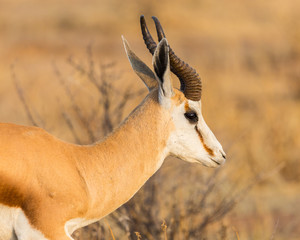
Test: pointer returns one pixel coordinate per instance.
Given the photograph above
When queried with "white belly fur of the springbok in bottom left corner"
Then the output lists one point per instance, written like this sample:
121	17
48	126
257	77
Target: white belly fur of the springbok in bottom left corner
13	221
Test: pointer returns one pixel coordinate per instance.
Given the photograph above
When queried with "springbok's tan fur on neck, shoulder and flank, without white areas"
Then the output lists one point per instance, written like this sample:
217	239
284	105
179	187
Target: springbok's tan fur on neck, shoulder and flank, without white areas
53	181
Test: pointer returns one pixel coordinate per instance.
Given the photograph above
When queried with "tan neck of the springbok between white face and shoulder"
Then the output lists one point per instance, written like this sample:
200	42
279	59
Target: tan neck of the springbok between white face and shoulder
117	167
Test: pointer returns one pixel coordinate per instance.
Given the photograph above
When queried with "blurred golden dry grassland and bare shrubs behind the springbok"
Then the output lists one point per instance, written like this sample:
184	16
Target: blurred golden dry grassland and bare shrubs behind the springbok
63	68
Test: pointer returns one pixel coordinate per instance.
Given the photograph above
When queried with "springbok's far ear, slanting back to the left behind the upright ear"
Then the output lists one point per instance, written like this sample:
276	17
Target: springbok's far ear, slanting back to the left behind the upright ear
140	68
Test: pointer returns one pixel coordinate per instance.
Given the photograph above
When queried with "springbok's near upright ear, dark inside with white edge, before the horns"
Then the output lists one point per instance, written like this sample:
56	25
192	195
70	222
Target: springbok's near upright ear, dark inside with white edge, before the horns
161	64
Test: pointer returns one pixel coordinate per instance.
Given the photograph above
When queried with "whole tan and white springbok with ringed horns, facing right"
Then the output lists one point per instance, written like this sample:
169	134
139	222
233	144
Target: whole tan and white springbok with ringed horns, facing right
50	188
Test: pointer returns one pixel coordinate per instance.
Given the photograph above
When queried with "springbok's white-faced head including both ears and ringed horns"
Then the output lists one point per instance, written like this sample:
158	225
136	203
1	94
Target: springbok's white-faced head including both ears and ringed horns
191	140
